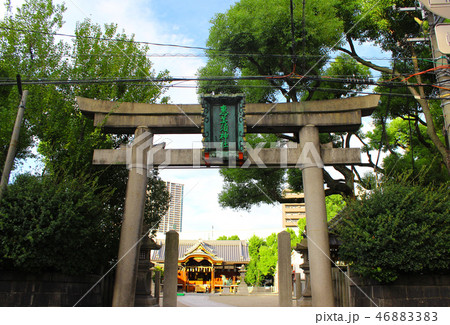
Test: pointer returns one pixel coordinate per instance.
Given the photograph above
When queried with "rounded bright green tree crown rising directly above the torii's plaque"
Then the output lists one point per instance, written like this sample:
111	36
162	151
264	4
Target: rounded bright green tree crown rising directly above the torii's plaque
258	36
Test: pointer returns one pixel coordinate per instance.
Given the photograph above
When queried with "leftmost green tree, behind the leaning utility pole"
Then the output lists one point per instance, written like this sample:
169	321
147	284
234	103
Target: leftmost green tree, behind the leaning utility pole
33	55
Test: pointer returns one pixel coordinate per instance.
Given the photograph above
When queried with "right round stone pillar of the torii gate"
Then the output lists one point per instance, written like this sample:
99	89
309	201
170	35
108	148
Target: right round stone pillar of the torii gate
316	222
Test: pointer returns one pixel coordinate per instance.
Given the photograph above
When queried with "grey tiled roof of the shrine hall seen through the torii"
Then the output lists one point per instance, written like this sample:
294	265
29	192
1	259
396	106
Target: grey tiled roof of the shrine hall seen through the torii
226	250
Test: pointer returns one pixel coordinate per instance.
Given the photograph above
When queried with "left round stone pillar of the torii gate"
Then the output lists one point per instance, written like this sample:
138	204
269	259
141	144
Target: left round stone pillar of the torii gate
126	272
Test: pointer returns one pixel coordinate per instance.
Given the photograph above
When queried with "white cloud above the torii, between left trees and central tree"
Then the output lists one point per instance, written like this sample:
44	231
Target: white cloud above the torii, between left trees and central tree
137	17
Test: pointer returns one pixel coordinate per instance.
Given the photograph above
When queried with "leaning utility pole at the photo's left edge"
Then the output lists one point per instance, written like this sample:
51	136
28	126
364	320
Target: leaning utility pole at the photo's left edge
14	140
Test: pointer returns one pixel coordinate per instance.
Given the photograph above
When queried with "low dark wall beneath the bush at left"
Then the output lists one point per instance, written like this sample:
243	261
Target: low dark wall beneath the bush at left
26	290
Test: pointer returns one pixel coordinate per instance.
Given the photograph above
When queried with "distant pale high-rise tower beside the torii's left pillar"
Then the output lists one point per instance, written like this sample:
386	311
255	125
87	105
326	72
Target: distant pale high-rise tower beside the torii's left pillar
172	219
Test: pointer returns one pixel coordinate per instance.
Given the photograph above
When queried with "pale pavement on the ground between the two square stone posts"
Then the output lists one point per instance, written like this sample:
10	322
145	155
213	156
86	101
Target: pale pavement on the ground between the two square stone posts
217	300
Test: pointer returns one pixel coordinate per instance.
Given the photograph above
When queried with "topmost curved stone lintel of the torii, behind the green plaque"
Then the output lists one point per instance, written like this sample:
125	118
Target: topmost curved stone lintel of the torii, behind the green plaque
336	115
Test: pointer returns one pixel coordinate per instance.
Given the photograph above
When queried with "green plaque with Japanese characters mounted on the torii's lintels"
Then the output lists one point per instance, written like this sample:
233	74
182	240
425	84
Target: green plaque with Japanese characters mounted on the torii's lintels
223	127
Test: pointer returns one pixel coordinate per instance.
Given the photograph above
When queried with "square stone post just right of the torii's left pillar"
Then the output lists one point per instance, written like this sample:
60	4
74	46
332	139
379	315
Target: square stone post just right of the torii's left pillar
170	269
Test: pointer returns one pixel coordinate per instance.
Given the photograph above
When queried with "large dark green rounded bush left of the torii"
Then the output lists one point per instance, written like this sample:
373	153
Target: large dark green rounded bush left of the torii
55	227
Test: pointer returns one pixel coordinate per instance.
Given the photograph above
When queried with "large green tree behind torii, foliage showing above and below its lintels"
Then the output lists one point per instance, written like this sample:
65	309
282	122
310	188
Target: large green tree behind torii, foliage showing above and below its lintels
254	38
